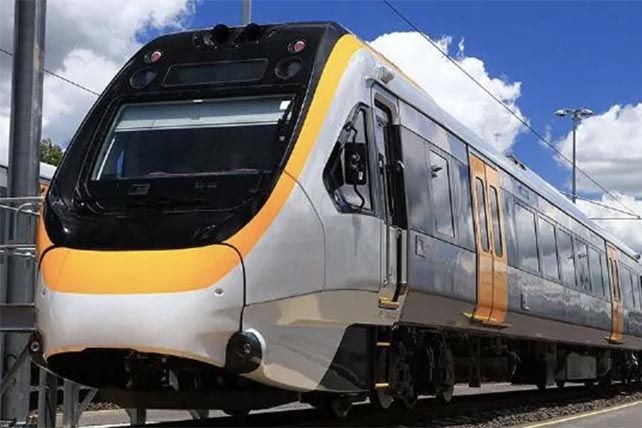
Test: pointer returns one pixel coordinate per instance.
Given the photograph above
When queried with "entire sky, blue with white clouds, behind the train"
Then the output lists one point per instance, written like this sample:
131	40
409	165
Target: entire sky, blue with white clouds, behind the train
535	56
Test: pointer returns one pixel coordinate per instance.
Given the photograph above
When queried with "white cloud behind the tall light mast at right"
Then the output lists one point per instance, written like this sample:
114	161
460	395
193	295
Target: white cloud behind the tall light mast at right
609	149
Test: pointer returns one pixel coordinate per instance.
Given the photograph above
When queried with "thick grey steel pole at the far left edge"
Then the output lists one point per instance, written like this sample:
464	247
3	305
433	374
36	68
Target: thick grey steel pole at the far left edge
24	174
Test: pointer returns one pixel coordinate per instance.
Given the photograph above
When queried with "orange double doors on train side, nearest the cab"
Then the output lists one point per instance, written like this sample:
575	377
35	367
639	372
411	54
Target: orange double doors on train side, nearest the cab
492	292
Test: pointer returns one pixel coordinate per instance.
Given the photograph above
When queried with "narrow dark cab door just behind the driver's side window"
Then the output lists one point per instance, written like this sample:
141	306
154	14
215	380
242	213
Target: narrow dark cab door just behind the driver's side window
392	201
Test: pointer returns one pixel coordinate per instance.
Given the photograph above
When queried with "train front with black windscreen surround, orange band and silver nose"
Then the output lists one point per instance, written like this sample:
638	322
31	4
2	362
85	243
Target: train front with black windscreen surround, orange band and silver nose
172	179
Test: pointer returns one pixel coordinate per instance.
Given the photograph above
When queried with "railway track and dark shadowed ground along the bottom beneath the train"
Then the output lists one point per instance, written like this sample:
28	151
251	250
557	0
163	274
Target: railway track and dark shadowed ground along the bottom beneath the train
486	409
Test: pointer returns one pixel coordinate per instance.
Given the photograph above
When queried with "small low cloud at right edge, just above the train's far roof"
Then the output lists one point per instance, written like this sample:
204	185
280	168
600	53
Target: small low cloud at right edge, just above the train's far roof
627	231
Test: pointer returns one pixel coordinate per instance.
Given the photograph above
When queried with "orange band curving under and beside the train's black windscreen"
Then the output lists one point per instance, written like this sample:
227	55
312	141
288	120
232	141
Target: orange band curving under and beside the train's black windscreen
129	272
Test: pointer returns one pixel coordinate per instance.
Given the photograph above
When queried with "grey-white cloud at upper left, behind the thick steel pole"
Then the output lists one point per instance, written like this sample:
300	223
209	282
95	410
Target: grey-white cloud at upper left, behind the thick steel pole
86	41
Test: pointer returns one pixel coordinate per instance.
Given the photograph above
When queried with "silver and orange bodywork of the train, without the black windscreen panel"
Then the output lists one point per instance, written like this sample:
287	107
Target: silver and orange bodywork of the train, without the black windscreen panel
330	264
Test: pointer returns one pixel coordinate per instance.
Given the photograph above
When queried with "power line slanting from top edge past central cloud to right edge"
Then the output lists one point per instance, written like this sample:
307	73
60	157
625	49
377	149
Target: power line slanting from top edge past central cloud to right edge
504	105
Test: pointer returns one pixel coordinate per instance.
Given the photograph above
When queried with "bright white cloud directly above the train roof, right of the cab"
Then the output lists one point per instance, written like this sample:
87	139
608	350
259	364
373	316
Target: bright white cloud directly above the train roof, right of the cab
452	90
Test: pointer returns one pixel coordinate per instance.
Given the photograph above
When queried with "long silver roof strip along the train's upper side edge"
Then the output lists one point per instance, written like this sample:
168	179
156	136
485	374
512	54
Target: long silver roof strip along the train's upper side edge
421	100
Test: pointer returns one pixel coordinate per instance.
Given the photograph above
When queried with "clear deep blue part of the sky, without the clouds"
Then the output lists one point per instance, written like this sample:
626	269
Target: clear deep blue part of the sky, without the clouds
564	53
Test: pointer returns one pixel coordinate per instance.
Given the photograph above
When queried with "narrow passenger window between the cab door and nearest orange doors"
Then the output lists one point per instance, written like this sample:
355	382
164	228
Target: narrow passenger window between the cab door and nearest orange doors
441	193
